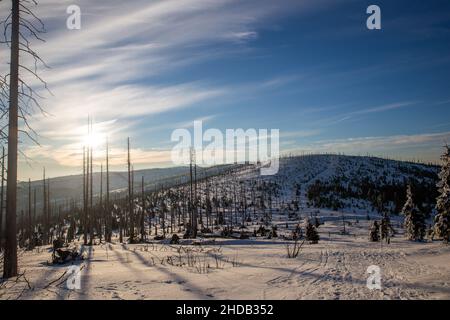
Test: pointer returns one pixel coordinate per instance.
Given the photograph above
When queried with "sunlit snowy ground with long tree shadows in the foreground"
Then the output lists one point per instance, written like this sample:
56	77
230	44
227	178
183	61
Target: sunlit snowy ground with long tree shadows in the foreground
335	268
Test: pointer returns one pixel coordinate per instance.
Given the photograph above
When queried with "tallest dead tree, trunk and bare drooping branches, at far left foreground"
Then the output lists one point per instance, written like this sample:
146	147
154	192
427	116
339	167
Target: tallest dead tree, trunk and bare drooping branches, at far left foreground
22	98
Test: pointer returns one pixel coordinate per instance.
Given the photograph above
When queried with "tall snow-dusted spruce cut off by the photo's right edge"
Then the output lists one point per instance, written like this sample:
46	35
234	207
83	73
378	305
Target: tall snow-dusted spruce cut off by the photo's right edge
441	220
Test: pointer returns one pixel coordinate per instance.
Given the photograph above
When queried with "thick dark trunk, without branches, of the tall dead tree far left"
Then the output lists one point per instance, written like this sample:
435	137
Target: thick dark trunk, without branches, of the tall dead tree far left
10	256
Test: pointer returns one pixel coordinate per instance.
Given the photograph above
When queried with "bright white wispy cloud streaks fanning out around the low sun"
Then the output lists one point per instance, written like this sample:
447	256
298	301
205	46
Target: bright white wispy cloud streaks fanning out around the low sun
109	69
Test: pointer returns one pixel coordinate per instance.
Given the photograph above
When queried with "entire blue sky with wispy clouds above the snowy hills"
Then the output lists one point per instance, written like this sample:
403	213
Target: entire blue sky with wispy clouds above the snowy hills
309	68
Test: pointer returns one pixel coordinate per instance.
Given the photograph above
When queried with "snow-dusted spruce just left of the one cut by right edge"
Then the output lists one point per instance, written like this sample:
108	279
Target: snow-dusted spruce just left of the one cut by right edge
414	220
